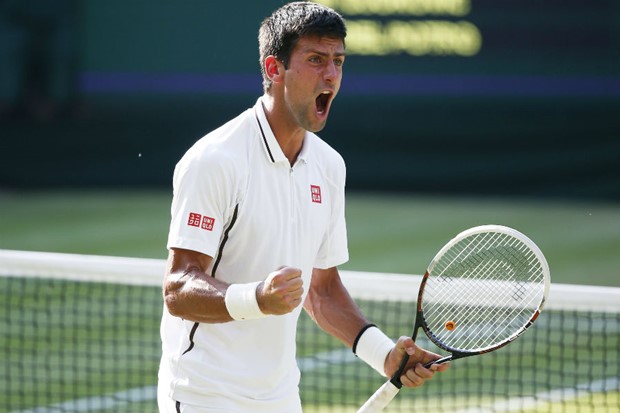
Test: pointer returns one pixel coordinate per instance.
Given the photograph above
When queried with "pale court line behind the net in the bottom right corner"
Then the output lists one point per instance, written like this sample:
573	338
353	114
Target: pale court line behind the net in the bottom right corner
552	396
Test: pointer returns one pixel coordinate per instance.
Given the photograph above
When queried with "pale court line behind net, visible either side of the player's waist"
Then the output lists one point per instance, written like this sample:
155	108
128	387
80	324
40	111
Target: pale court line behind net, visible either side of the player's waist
141	394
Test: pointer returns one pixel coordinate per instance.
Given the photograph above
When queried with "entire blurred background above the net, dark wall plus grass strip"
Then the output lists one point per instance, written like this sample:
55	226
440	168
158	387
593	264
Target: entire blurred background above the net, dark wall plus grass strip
451	114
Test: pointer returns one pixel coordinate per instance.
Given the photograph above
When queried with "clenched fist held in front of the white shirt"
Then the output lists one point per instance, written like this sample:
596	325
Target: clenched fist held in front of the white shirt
281	291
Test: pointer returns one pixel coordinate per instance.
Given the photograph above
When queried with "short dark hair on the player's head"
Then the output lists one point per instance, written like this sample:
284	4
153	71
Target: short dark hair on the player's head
280	32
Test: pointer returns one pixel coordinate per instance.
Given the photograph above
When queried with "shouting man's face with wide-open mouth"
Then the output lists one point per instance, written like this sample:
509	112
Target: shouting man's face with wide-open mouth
312	80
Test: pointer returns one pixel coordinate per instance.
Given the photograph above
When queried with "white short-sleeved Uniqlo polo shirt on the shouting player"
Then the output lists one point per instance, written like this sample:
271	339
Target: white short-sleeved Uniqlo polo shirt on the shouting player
238	200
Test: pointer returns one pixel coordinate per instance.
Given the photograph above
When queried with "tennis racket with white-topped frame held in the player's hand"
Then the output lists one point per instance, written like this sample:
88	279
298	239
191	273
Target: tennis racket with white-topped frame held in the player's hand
482	290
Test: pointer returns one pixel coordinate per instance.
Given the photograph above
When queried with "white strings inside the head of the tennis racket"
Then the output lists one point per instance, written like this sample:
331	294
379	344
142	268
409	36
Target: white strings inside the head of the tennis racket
496	269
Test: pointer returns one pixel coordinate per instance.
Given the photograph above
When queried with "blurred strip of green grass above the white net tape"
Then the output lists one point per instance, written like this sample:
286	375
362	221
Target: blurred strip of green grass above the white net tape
387	233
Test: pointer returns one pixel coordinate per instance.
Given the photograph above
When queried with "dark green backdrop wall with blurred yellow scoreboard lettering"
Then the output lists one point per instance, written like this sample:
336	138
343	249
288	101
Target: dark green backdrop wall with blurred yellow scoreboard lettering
534	111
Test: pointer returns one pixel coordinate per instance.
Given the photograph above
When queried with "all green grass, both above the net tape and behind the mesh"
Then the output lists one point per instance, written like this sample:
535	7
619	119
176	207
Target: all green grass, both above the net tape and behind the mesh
51	349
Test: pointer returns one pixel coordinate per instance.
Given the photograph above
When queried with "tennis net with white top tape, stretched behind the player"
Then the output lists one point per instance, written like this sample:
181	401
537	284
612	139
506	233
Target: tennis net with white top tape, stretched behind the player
81	334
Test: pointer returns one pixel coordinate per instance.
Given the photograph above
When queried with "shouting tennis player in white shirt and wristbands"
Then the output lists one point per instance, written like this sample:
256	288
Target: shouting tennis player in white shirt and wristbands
257	230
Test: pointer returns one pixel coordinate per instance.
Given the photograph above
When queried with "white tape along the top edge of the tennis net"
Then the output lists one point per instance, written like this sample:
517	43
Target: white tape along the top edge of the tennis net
362	285
